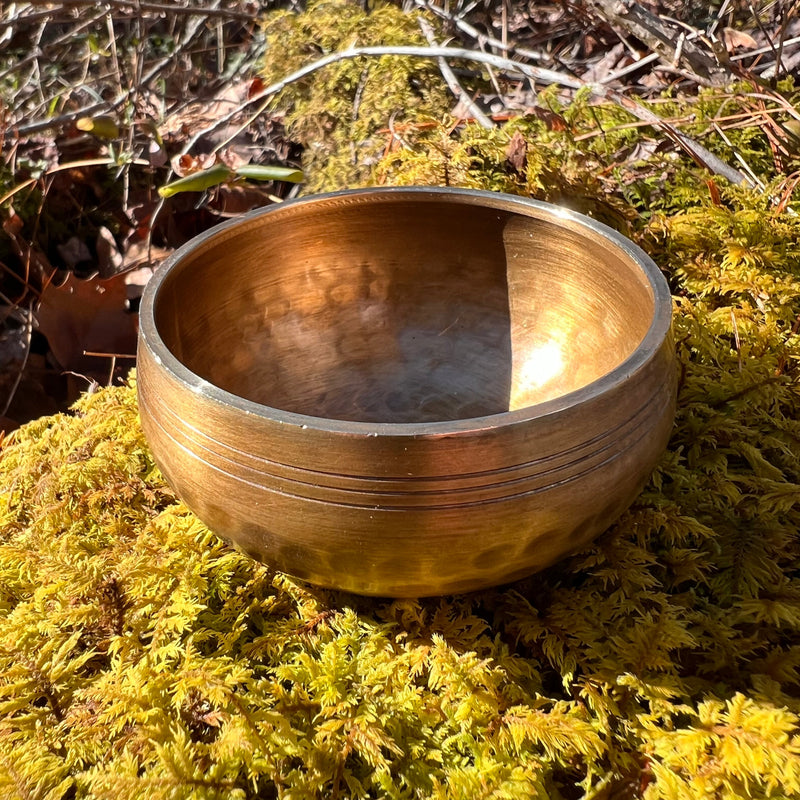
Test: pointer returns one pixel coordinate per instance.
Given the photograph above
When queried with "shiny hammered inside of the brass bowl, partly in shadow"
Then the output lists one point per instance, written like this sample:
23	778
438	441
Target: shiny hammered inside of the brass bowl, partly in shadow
403	308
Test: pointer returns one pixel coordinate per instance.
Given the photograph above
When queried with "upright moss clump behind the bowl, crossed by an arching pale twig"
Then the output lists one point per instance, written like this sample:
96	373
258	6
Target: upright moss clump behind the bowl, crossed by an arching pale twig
343	114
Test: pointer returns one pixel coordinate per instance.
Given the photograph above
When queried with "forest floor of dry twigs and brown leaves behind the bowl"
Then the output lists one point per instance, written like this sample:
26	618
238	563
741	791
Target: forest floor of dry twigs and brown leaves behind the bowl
100	105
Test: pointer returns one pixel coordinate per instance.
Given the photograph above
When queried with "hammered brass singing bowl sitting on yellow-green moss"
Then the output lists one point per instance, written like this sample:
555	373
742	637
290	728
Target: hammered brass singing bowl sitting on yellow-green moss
407	391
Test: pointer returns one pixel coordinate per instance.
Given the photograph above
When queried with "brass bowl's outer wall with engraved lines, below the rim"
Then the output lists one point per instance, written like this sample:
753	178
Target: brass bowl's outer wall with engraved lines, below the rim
410	515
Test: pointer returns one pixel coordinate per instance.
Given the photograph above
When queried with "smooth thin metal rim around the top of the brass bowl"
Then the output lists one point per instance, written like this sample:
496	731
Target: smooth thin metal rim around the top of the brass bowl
653	340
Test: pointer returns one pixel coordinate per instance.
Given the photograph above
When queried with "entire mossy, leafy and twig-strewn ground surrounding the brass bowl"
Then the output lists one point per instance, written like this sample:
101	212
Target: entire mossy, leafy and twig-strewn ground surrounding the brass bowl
144	658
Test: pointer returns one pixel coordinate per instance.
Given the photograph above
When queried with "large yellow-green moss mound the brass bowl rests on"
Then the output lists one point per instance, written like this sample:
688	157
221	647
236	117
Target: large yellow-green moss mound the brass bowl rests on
142	657
